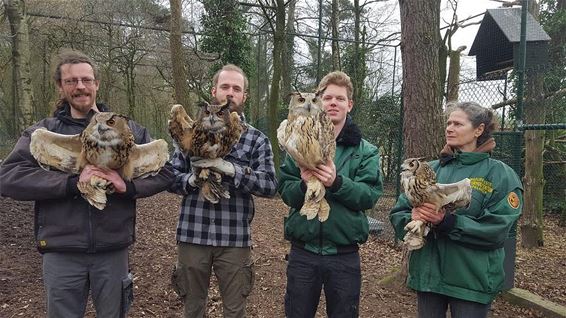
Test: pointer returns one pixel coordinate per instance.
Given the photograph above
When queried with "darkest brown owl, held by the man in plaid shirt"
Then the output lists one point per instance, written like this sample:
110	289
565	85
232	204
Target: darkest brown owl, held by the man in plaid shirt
212	135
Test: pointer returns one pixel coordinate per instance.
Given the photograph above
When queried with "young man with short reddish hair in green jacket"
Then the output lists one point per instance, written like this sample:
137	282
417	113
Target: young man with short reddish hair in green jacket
326	254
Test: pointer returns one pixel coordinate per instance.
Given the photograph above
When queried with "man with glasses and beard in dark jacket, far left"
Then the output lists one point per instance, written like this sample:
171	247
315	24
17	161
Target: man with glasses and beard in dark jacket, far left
83	249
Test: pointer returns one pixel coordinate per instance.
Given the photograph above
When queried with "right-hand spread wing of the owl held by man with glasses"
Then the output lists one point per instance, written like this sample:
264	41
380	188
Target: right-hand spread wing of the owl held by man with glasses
146	159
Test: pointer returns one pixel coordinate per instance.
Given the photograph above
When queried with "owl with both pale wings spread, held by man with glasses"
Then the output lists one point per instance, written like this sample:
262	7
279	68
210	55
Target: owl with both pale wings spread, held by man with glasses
107	142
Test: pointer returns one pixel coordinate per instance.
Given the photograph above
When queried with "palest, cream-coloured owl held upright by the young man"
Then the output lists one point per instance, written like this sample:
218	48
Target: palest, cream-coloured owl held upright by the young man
307	135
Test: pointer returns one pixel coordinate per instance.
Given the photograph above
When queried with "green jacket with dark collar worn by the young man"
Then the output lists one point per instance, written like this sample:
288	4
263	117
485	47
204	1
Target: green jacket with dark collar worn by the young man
357	188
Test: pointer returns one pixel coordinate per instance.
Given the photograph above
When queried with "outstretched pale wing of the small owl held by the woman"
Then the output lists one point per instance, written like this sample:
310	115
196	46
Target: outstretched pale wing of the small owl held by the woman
452	195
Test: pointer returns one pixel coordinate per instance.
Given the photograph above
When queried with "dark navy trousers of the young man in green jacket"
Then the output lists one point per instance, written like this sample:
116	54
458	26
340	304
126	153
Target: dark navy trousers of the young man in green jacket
308	273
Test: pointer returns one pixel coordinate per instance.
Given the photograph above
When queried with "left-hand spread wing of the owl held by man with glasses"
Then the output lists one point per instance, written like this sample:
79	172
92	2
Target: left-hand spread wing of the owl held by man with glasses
62	152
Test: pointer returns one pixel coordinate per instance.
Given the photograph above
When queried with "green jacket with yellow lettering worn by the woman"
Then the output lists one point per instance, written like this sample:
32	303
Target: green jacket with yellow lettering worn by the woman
463	255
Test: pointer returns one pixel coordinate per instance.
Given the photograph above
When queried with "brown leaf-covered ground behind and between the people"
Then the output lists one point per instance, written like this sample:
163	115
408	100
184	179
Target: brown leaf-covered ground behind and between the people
542	271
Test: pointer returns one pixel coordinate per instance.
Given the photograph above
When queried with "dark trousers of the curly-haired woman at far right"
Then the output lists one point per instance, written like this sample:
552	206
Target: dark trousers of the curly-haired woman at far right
433	305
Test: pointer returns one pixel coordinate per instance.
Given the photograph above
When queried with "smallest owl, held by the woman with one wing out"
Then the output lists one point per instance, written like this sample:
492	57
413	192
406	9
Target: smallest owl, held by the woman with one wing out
419	182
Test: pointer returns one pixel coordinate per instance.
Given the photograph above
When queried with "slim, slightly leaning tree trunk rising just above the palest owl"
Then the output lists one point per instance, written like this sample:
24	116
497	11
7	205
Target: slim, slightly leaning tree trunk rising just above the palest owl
288	51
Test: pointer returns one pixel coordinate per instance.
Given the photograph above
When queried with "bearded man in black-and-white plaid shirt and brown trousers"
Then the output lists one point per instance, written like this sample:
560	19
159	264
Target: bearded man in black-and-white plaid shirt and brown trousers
217	236
